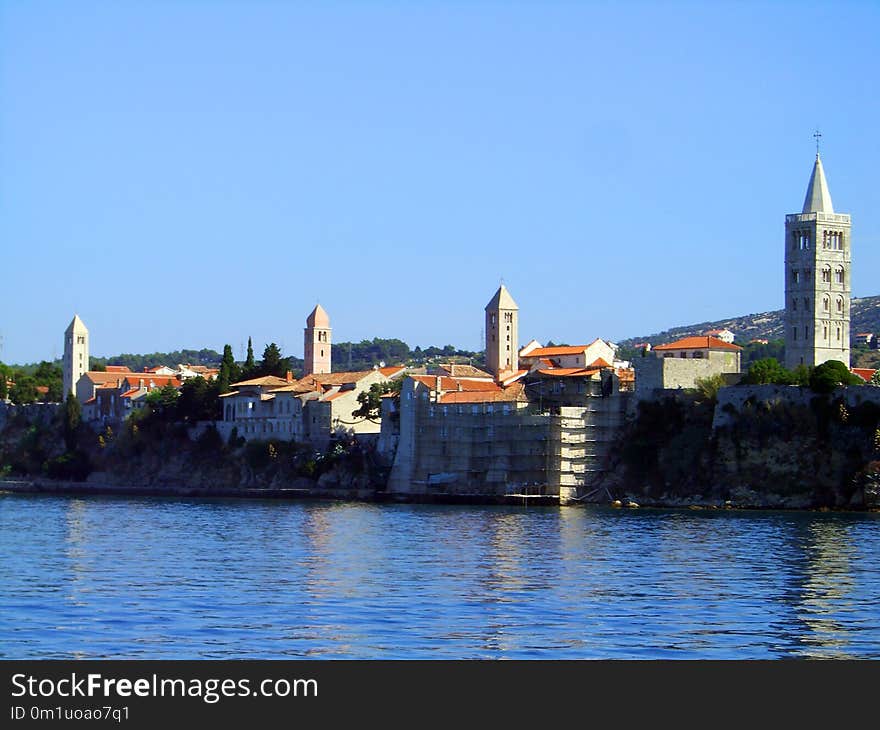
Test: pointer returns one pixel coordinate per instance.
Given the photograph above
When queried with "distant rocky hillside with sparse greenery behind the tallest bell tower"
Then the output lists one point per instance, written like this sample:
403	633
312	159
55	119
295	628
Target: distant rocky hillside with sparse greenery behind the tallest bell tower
767	325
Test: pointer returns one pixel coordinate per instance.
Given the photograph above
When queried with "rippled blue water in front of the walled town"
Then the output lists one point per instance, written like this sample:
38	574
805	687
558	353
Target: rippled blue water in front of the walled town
153	578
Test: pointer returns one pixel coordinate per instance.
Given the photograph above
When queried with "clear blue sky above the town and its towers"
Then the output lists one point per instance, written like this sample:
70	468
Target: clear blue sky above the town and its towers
185	174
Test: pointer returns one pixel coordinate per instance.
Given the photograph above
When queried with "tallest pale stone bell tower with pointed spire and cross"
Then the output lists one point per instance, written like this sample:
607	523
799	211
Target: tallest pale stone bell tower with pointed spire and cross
817	279
